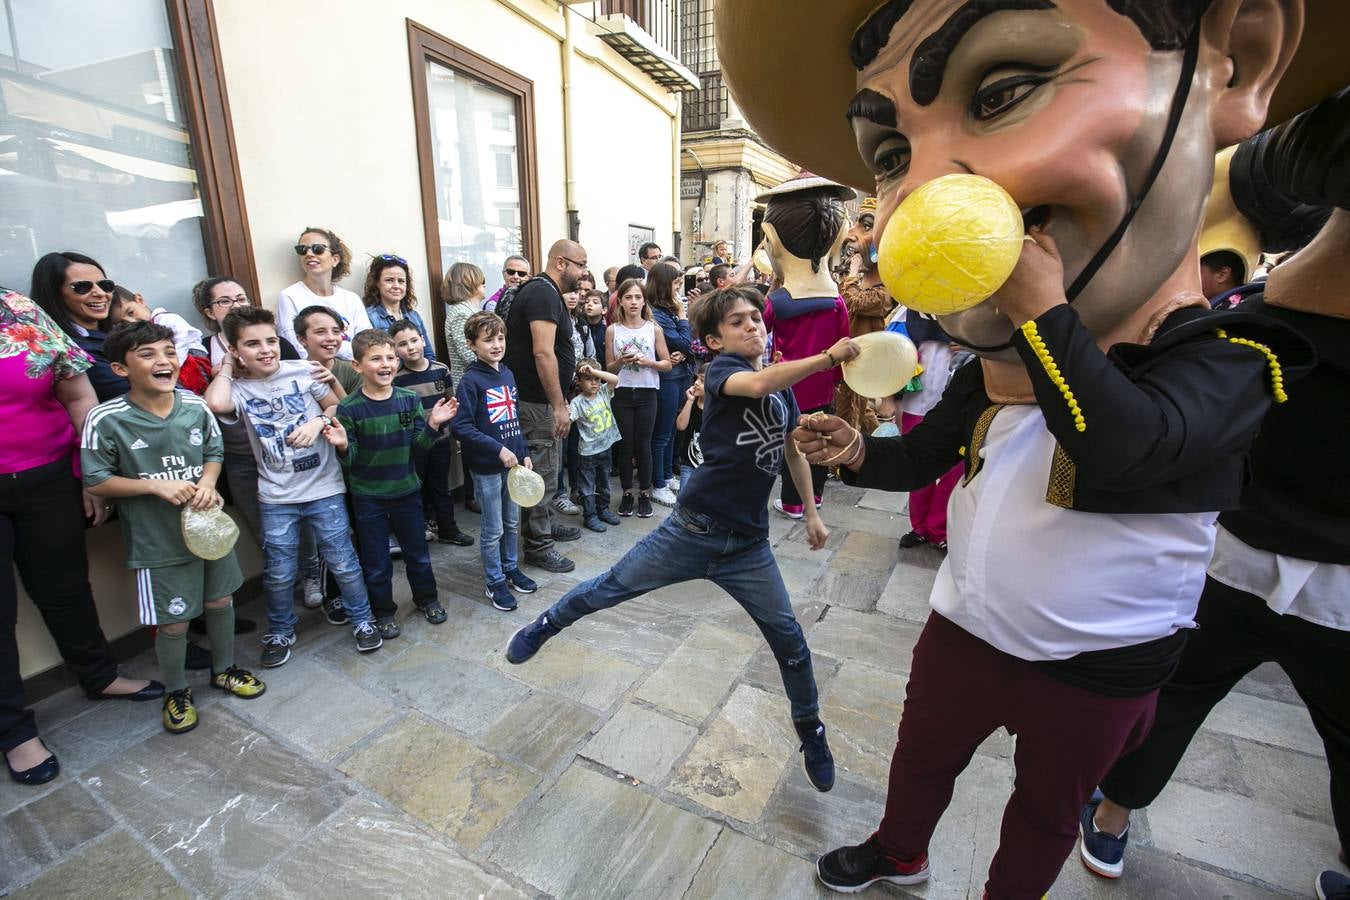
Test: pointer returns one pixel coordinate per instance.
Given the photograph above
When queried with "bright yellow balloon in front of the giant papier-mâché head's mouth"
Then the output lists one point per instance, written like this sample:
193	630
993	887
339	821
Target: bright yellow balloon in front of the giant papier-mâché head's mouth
951	245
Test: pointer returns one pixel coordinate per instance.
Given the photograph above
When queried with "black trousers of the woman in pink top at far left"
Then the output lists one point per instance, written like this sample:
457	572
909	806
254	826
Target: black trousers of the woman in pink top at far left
43	536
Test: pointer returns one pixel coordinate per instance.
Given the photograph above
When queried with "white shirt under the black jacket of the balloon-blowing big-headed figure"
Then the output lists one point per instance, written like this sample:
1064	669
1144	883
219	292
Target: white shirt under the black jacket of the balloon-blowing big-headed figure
1042	582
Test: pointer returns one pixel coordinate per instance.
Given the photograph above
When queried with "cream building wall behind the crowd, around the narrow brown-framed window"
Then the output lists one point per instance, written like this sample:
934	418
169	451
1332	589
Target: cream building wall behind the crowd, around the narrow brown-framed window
323	118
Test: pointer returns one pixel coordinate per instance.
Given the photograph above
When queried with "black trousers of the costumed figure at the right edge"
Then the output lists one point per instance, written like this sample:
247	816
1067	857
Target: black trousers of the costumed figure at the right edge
1237	634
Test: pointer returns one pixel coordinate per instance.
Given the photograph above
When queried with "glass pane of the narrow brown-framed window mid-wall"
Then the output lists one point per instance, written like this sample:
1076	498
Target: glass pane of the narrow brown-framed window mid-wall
477	161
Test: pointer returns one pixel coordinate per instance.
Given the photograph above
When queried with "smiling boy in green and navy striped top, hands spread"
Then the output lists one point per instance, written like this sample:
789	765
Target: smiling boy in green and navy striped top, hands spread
377	432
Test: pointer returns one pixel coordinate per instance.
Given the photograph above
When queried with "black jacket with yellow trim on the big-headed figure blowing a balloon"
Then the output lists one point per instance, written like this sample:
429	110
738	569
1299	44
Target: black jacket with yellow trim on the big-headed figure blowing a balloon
1144	428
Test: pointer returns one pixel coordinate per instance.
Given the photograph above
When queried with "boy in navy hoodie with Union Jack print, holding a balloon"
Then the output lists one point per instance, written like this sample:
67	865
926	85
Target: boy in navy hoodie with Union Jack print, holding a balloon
488	427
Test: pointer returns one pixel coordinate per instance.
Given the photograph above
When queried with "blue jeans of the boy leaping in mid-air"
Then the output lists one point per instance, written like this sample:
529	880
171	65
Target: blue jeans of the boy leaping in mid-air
689	546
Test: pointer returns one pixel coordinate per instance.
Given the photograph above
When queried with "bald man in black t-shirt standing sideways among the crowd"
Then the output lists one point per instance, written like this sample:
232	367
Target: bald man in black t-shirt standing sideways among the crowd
541	356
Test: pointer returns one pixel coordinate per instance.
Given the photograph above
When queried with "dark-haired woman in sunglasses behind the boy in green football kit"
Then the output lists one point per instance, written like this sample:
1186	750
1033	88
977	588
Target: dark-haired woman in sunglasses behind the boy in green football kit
78	295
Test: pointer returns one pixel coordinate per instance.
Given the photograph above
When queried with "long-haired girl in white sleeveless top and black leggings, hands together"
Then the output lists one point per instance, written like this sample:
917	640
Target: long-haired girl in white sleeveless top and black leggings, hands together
638	356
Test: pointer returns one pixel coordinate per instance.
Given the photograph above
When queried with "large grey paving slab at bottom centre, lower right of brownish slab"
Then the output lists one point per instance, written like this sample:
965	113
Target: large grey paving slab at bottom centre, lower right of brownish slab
600	837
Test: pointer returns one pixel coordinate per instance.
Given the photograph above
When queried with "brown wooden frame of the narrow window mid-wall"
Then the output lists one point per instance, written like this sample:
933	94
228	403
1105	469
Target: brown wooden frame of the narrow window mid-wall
427	47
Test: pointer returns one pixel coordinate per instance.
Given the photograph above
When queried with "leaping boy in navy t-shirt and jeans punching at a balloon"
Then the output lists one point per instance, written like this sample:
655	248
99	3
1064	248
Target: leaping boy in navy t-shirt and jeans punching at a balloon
719	528
